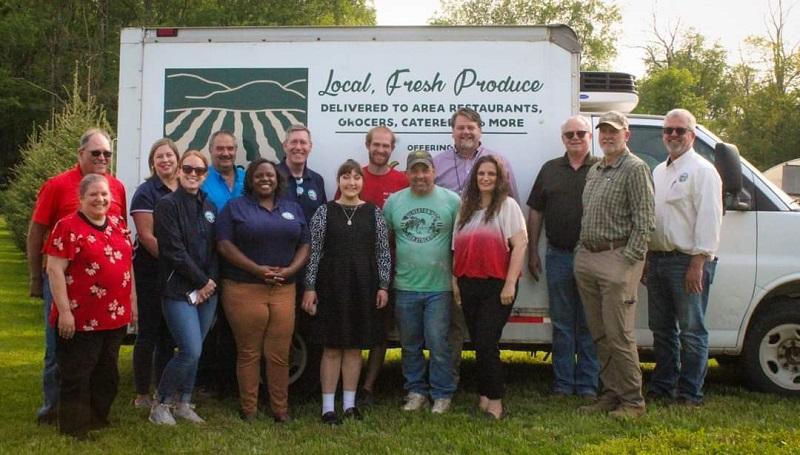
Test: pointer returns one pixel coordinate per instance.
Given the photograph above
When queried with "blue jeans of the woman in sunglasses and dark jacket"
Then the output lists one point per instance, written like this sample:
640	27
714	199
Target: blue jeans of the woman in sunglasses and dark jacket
189	325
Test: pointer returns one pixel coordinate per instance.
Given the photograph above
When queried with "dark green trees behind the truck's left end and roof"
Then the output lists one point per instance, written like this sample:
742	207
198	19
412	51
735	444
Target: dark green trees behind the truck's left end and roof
41	41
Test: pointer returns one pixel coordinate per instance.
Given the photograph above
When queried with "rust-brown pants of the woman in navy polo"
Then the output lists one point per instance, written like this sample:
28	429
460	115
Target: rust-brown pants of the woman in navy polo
262	320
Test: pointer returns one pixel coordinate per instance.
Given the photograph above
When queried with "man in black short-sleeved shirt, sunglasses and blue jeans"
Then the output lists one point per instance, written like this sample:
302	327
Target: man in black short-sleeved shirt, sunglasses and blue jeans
556	199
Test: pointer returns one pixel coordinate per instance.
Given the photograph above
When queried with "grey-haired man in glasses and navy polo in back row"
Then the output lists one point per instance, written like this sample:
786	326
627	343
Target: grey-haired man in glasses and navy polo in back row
304	186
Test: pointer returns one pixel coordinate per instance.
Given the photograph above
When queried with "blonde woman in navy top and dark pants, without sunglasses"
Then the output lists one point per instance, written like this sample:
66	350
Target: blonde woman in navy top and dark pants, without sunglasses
154	345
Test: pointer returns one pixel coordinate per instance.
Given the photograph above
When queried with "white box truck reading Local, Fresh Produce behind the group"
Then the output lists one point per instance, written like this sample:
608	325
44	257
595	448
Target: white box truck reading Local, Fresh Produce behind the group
186	83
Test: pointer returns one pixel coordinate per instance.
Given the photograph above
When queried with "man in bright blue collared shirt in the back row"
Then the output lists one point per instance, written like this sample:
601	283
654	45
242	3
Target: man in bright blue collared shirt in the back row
225	181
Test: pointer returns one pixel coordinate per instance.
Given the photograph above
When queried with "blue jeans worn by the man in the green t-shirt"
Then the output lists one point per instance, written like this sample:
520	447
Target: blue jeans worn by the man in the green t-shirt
423	319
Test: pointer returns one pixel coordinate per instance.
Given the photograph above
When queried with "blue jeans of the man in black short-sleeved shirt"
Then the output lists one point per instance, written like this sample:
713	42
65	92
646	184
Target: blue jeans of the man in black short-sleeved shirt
570	333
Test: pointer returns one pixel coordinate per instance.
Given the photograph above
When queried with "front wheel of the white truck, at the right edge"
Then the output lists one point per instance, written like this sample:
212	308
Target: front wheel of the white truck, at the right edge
772	349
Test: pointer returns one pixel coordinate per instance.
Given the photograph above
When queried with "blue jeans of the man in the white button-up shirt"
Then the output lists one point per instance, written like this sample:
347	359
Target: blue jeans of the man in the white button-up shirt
680	339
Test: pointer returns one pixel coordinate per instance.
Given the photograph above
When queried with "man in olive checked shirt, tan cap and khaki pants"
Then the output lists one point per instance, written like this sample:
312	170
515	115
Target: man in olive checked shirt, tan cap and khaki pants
618	217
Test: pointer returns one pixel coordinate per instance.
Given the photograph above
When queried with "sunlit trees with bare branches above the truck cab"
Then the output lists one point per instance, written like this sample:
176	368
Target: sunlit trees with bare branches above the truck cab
754	104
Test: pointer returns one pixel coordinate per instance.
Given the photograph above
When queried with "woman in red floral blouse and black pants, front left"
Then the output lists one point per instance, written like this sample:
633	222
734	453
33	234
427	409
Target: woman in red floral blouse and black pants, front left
94	299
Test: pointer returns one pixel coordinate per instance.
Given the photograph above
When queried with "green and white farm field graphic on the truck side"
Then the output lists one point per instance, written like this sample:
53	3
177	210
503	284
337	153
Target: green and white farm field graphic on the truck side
256	104
